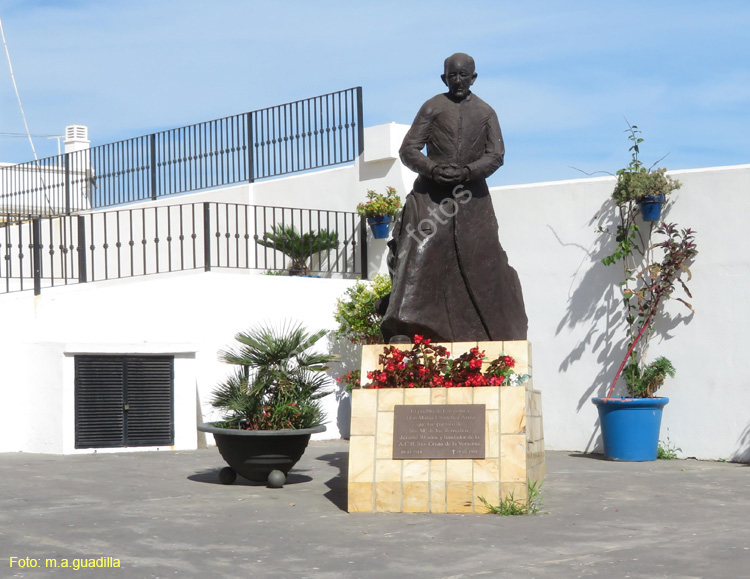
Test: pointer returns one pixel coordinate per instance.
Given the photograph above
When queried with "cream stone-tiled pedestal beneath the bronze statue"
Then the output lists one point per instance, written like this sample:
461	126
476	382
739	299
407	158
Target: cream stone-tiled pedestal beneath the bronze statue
514	443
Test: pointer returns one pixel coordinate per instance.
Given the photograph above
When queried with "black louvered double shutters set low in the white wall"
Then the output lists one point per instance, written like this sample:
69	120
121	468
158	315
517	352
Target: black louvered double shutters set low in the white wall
124	401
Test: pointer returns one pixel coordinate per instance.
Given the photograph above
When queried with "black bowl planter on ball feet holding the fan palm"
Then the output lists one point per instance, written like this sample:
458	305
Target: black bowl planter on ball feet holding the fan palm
260	455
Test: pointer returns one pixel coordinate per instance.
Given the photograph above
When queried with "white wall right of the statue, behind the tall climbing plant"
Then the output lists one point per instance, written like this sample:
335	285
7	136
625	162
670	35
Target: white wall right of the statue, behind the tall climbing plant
573	303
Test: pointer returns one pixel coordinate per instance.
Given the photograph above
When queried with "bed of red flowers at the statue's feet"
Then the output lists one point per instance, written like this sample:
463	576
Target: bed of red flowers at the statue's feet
430	366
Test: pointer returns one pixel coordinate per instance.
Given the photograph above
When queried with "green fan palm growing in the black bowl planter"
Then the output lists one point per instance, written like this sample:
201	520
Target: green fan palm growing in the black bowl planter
278	382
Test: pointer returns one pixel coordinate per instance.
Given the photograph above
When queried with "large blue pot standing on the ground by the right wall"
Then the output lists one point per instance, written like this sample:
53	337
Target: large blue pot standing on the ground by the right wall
630	427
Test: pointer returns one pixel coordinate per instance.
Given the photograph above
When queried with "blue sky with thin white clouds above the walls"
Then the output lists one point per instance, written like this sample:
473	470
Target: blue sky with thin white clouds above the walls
562	76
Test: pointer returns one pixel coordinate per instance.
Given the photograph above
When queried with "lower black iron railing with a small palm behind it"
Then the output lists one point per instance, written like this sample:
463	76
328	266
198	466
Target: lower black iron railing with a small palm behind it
41	252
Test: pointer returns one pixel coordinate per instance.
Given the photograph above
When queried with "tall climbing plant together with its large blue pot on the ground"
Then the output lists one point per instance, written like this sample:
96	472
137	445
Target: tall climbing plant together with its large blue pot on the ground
653	269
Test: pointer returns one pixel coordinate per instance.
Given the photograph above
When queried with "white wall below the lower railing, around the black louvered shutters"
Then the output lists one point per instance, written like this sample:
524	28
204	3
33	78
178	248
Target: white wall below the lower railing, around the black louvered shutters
191	315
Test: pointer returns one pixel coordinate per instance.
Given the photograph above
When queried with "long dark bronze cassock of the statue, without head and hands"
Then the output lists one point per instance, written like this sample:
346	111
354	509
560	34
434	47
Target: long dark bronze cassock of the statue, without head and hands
451	278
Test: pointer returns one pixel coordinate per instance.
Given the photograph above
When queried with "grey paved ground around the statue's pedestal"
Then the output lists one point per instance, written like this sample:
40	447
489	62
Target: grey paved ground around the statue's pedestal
165	515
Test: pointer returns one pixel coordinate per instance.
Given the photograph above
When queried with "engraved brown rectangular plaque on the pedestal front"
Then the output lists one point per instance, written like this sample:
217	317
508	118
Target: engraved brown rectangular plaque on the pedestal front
423	431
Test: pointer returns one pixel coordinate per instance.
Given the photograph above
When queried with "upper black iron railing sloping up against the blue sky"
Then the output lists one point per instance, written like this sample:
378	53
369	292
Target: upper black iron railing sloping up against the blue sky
308	134
